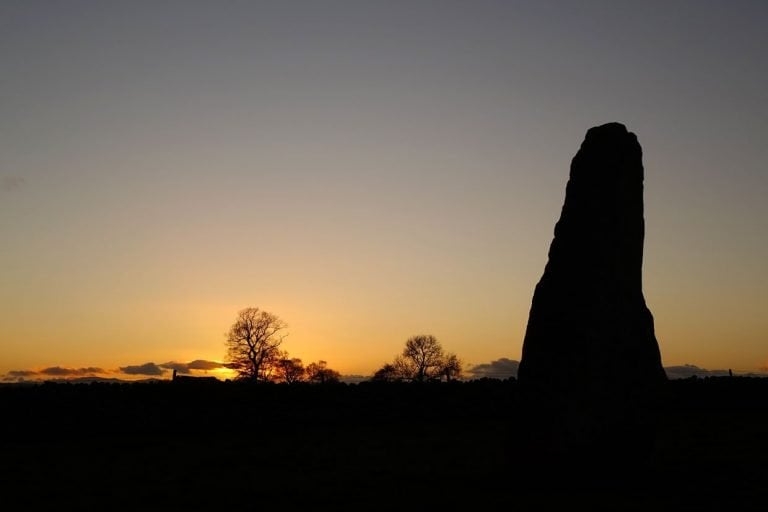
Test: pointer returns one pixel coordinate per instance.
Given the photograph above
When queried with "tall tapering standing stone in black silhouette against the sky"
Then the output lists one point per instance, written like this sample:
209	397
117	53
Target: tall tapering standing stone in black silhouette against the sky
590	335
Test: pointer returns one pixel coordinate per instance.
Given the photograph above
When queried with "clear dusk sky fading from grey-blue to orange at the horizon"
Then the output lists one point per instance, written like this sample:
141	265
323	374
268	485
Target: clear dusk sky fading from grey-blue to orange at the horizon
365	170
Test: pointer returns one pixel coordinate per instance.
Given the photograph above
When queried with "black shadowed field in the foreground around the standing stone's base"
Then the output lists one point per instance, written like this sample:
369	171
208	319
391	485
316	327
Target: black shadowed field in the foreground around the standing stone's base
219	446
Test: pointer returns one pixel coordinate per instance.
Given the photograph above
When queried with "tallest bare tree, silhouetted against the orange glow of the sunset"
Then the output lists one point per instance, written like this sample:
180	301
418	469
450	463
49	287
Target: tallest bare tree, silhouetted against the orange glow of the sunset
253	344
